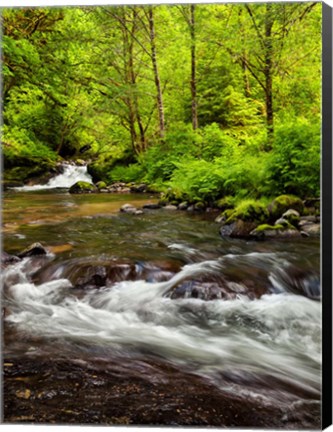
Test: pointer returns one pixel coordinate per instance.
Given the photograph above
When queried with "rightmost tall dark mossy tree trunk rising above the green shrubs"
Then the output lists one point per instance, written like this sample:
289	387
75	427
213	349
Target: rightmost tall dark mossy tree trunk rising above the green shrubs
268	74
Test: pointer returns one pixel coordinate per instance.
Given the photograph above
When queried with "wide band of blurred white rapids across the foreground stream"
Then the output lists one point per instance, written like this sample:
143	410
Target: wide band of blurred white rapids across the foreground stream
278	335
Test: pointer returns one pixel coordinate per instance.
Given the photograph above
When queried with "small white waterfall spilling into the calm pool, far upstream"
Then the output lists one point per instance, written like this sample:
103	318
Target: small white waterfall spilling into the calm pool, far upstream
70	175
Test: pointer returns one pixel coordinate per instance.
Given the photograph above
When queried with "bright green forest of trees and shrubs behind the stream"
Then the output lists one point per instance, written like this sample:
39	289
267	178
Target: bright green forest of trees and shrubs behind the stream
212	101
